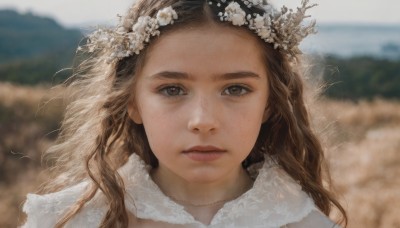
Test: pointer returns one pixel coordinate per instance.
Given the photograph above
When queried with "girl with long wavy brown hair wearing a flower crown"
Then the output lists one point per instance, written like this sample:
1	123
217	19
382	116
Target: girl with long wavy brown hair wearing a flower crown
189	114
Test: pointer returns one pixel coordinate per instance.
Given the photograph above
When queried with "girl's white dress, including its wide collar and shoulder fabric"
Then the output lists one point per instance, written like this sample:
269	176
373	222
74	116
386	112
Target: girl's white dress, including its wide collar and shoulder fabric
274	201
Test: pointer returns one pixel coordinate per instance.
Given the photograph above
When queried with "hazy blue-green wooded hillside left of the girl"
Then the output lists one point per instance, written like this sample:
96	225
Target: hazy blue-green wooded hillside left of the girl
34	48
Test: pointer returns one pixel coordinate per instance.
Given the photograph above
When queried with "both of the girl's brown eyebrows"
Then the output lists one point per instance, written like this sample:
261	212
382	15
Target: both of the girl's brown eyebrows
164	75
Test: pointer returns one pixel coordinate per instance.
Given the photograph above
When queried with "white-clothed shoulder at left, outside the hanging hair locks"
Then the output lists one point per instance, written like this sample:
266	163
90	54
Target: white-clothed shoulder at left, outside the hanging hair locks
45	210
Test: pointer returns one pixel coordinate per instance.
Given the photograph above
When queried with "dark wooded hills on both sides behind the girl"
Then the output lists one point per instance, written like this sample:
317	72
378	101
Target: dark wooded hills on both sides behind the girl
33	49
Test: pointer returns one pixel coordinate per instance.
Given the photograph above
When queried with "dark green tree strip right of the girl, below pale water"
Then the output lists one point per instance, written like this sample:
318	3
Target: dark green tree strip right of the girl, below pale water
362	78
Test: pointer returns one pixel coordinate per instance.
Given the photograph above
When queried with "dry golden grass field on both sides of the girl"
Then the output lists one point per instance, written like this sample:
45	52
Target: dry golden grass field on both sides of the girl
362	141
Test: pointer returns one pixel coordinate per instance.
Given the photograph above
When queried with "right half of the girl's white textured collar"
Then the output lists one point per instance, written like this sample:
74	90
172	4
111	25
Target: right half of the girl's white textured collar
282	202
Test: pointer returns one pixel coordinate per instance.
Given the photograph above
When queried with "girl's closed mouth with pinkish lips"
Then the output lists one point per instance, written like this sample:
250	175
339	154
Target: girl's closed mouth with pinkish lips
204	153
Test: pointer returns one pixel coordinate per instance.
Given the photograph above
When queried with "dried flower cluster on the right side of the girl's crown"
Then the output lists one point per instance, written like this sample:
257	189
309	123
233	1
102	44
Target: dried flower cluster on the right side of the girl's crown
282	28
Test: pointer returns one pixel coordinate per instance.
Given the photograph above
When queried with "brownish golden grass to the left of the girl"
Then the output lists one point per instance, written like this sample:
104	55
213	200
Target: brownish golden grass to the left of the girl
26	122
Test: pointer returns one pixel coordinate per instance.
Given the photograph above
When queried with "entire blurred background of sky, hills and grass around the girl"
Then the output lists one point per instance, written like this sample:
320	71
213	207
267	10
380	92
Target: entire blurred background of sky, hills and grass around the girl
356	53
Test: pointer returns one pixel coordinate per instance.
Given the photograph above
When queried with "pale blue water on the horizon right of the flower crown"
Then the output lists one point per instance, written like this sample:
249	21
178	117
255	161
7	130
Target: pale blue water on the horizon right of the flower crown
355	40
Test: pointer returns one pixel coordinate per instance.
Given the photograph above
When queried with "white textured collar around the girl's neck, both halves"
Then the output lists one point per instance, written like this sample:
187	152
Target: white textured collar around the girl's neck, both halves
275	199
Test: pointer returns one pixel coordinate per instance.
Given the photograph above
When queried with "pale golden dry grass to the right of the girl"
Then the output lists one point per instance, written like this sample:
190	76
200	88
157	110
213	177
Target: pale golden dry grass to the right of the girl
364	157
